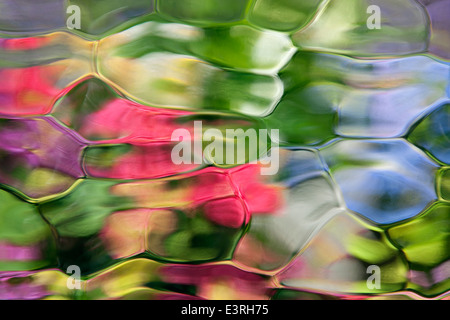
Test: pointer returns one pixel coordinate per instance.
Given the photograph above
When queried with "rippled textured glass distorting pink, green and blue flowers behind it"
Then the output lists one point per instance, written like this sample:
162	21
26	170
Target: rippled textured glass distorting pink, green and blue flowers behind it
86	176
